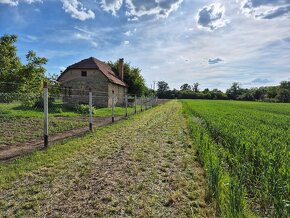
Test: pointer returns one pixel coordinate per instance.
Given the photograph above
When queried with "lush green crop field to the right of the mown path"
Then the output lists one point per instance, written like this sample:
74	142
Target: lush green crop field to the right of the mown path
244	149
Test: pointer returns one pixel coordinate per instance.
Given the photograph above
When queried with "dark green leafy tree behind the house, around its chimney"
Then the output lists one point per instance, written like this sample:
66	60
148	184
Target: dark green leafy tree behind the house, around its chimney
132	77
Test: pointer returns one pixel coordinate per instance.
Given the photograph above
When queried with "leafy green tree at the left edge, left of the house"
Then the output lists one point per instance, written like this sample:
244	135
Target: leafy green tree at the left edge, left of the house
16	77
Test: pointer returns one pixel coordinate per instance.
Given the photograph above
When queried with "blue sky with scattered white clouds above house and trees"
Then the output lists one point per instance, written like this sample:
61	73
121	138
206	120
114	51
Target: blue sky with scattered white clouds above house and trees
214	43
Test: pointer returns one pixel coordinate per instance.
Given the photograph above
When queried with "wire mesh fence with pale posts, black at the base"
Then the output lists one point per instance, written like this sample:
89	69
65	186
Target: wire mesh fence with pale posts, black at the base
29	119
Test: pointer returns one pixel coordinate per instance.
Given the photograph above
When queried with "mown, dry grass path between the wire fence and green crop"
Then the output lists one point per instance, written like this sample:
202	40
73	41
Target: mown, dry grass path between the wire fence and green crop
145	166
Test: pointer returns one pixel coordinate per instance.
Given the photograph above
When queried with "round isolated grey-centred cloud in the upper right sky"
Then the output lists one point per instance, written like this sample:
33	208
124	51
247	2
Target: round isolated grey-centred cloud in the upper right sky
212	17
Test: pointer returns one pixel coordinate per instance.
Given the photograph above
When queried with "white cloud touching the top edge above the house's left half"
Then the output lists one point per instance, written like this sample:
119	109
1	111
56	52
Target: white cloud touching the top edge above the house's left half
76	9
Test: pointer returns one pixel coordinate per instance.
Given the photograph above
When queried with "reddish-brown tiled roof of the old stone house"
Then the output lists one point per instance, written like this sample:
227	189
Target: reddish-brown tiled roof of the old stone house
93	63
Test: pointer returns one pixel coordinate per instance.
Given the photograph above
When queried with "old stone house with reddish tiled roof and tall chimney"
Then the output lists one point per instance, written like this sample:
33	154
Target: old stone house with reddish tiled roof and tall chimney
92	74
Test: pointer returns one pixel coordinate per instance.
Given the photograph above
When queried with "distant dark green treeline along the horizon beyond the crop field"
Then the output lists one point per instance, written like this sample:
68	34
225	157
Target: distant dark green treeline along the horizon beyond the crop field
280	93
